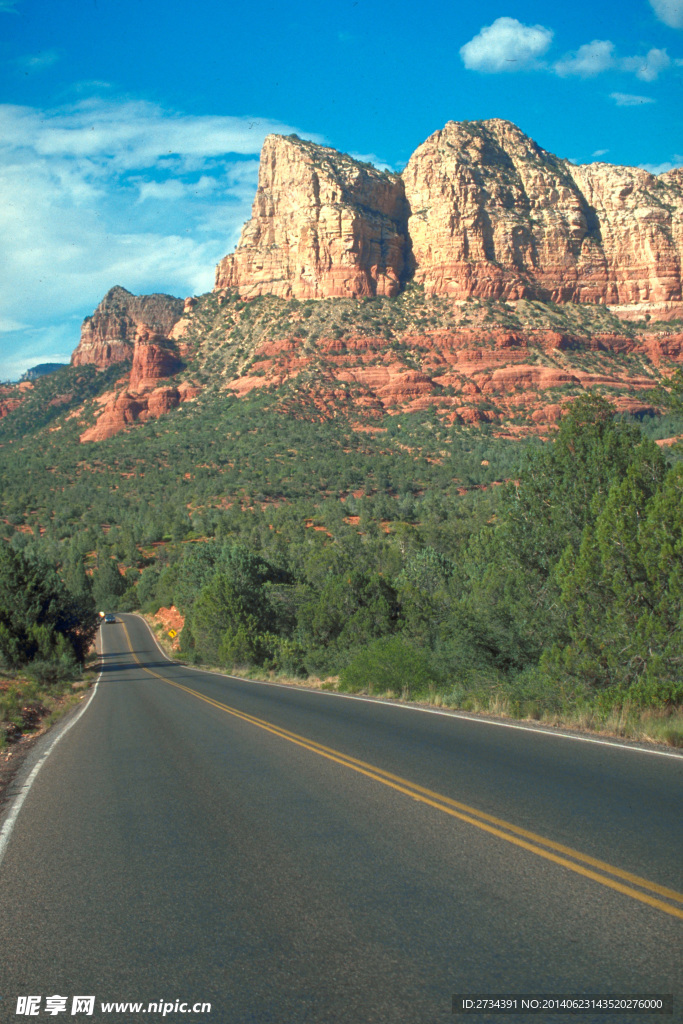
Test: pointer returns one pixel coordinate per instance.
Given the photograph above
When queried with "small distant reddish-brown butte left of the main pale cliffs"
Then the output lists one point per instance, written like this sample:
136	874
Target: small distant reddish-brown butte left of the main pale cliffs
109	335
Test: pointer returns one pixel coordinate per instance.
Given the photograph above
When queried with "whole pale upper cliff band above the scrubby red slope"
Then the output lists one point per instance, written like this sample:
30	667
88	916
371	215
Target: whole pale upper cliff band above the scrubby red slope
481	210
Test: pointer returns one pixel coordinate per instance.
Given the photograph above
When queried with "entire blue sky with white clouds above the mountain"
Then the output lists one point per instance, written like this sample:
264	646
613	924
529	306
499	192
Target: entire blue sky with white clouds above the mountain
131	130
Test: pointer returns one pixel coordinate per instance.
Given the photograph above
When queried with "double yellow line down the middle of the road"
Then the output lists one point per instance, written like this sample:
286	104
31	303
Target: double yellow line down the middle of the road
608	875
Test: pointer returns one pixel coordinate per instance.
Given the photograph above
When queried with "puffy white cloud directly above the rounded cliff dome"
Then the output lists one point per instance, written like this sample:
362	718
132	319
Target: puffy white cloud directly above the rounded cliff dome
506	46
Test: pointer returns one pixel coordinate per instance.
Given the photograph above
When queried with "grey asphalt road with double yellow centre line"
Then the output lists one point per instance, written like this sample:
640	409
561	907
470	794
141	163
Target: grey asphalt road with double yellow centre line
295	857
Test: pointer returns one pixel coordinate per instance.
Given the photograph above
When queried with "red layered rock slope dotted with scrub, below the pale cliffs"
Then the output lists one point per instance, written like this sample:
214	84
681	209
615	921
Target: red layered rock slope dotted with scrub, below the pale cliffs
511	365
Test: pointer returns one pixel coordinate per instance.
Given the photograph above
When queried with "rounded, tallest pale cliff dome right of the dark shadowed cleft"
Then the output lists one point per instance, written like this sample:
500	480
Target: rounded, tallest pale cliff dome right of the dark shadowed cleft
495	217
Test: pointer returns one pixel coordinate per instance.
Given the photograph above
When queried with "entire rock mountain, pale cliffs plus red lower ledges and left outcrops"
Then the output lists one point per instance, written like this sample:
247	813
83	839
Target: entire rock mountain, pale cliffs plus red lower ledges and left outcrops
491	281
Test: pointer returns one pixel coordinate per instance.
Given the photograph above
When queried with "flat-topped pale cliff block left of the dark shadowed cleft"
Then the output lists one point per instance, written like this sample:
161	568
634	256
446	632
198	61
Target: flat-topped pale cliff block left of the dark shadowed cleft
323	225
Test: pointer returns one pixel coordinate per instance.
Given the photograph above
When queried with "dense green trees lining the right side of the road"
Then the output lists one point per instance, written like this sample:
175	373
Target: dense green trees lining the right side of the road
566	585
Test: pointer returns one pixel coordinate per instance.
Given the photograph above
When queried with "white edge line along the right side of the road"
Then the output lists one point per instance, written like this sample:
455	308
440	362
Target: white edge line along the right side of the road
615	745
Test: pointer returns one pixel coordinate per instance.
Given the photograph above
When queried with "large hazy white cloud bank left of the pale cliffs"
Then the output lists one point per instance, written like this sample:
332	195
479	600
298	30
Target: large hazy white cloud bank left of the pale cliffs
104	193
